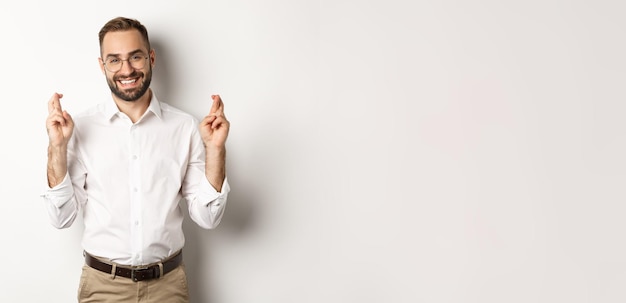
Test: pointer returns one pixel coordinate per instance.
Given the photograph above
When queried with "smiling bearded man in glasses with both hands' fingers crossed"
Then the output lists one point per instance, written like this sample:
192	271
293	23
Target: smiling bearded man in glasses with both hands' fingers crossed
125	165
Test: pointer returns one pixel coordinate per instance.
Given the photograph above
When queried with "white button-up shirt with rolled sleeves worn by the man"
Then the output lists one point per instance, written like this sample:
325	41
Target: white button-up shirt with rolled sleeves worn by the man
127	180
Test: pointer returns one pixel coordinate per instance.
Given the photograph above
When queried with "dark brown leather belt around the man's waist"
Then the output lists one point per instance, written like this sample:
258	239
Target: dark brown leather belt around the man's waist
138	273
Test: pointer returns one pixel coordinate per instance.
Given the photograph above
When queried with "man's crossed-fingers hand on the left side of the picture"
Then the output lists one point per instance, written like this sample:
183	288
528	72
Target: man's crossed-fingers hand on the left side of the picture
59	123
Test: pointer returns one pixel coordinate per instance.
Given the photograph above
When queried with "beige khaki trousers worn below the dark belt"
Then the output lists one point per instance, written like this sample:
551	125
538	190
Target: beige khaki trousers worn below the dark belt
96	286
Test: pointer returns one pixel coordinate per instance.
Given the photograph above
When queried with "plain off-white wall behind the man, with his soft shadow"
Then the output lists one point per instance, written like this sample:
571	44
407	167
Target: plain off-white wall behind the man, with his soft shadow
380	151
